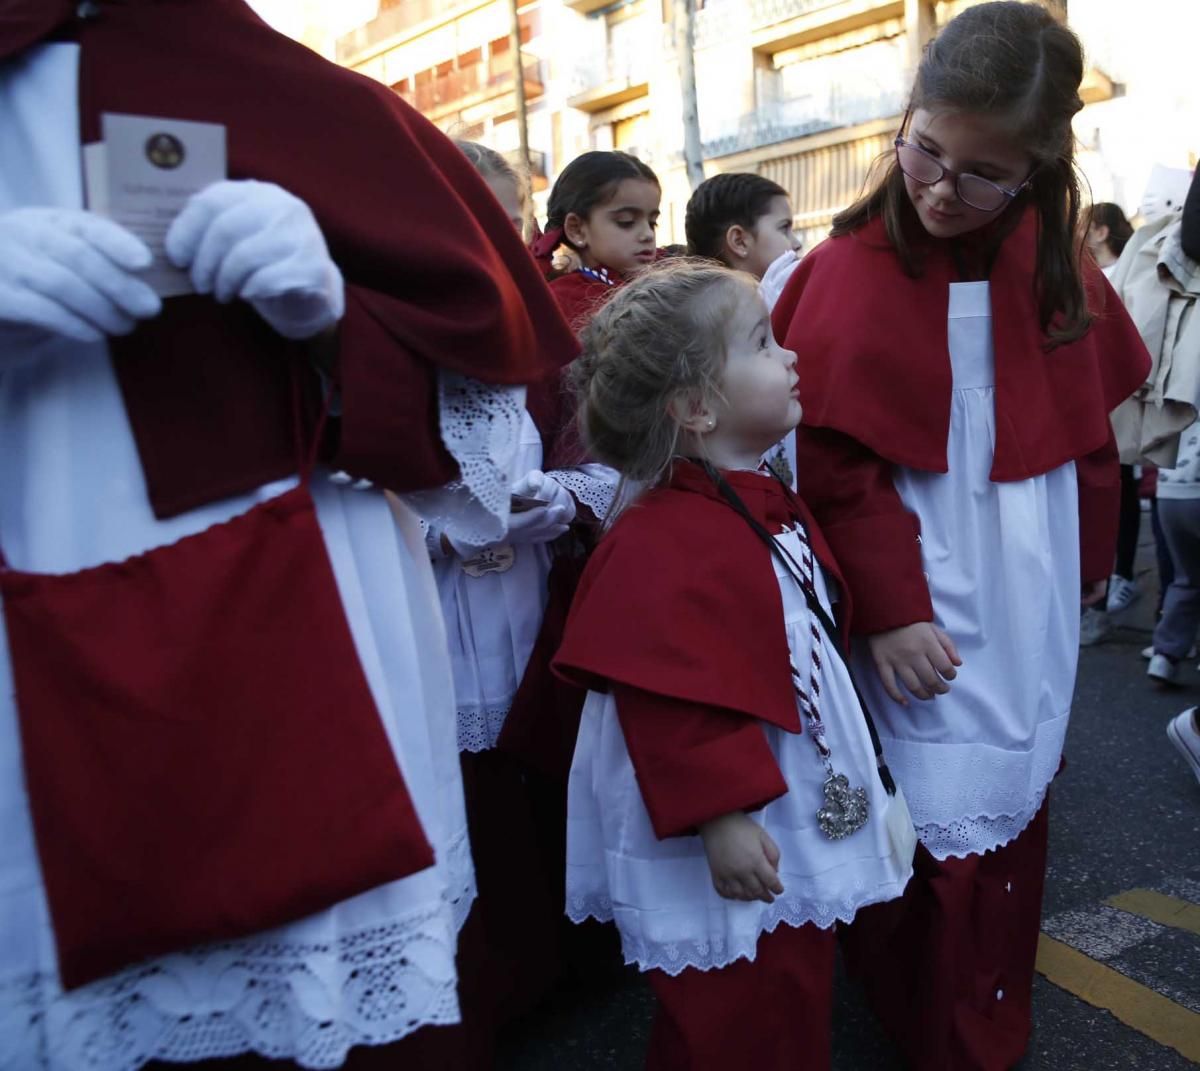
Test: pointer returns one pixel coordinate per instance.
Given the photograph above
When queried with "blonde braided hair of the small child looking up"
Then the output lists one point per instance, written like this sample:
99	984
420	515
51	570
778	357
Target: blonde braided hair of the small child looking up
659	337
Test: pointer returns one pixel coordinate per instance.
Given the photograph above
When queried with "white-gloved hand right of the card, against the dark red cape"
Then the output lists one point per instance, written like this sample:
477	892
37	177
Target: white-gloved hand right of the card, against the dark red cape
256	242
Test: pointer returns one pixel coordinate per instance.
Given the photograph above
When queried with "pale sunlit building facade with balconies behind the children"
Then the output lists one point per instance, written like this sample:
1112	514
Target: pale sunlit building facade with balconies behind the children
808	93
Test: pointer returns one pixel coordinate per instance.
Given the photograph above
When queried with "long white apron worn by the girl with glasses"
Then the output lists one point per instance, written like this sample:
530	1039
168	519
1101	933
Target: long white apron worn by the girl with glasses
1003	563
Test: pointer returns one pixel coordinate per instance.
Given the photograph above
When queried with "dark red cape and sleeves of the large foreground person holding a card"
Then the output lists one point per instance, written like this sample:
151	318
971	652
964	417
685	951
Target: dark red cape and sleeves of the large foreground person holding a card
436	277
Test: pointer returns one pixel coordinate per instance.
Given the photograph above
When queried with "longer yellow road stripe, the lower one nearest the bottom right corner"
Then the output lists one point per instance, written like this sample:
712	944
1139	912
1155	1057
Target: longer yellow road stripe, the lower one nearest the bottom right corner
1136	1006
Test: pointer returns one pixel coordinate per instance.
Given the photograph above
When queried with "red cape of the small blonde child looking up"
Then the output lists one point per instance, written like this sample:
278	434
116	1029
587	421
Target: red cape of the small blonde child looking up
681	600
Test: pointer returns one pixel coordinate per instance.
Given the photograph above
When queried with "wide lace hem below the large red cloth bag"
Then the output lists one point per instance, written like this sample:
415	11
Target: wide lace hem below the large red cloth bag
281	998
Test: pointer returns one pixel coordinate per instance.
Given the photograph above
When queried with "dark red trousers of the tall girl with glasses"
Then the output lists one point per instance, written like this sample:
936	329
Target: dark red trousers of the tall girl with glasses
949	968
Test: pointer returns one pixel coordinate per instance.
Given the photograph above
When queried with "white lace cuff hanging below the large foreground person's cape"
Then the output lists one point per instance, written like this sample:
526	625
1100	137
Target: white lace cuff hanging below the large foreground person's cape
481	427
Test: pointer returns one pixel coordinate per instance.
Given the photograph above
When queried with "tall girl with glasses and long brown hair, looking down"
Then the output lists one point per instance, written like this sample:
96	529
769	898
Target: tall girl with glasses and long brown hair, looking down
958	360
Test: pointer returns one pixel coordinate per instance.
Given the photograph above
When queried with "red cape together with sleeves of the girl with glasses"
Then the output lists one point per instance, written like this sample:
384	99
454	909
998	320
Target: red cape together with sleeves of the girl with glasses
875	382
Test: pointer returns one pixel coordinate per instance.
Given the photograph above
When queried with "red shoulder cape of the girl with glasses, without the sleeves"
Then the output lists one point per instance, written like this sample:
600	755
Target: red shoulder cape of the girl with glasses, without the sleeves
874	358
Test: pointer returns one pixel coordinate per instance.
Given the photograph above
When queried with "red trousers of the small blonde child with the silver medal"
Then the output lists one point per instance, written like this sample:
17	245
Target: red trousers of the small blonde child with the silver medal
772	1014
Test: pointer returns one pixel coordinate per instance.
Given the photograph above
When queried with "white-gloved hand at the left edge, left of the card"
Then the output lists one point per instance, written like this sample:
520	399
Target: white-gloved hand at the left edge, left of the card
68	272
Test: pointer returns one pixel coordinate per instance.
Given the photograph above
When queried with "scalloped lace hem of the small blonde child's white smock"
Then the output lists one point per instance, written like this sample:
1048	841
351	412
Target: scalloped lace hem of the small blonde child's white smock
712	953
